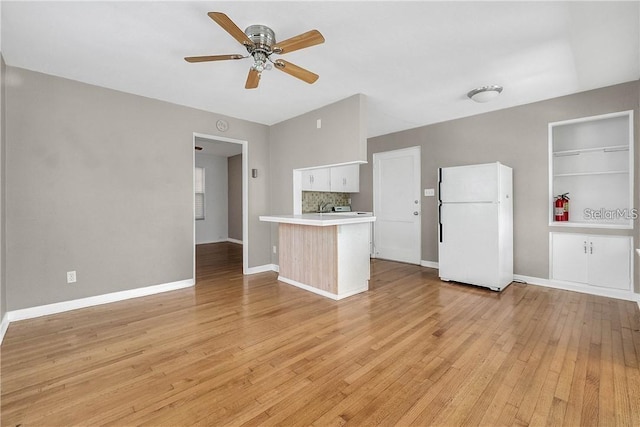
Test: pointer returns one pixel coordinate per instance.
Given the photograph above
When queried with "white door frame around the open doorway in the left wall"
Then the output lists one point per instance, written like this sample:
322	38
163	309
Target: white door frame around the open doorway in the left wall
245	196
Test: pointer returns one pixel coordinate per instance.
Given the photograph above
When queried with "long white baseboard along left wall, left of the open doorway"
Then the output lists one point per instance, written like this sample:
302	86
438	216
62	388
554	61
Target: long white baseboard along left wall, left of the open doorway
59	307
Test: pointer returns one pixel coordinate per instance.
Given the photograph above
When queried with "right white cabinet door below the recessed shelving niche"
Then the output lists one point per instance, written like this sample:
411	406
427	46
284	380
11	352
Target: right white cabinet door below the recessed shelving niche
610	261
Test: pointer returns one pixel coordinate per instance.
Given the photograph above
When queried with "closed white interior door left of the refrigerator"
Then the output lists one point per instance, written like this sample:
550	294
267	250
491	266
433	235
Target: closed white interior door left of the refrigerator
396	205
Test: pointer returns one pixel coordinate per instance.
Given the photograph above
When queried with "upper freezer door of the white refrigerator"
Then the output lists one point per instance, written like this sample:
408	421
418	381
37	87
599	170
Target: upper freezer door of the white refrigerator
475	183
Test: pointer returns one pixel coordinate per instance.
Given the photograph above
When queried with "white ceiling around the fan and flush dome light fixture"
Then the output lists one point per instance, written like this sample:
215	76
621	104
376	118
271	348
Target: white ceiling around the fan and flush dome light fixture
414	60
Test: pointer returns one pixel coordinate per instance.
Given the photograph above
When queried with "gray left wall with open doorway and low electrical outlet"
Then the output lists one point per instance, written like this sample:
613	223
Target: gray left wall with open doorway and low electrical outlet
100	182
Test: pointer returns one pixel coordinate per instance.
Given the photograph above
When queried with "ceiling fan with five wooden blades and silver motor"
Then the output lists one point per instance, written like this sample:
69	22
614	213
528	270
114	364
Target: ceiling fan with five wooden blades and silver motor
260	42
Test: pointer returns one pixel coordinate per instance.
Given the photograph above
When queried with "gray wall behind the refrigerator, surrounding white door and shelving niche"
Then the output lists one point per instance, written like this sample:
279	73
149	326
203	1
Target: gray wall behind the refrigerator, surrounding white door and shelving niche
516	137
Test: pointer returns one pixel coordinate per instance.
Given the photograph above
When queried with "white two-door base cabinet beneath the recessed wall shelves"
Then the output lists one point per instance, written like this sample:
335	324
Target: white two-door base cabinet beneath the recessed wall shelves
592	260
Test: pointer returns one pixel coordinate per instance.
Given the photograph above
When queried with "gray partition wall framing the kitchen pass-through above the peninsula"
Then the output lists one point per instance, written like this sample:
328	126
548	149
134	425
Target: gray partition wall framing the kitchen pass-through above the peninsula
298	143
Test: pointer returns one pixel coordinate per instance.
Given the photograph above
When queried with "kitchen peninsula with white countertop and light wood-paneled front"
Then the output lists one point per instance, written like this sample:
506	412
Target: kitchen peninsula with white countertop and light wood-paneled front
327	254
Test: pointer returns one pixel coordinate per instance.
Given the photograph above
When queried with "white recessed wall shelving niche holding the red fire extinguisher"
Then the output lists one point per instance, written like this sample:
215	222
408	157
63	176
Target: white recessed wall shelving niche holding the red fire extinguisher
592	159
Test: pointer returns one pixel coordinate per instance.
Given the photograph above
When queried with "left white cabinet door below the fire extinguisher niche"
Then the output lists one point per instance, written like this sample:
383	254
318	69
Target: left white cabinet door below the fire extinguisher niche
569	257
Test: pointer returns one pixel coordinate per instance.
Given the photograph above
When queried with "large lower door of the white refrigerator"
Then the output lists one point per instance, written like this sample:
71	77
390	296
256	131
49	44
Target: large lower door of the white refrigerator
469	247
